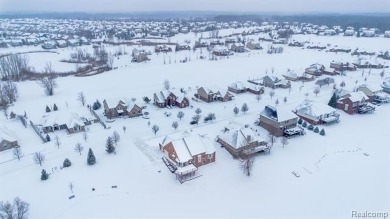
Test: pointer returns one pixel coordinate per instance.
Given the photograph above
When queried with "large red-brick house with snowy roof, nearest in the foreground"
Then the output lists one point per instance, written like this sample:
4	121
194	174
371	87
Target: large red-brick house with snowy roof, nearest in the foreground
188	152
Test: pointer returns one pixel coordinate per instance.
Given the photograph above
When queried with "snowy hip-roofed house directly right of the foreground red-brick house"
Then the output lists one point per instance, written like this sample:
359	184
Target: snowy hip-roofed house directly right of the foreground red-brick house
242	142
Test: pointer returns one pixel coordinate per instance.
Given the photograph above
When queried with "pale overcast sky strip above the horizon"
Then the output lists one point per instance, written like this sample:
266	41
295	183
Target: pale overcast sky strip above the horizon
202	5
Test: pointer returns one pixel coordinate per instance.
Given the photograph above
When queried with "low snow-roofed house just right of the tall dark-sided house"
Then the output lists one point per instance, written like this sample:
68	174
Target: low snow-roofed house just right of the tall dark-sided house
316	113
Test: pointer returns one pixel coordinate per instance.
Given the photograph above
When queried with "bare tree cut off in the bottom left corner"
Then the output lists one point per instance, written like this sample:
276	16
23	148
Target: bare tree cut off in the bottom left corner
18	210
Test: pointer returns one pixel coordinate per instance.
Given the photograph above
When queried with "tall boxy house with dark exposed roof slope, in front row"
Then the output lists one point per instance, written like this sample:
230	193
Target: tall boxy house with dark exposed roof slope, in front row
277	121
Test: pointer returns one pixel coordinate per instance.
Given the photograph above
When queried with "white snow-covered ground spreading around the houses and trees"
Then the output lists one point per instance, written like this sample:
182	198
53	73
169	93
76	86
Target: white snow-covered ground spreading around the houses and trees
336	177
